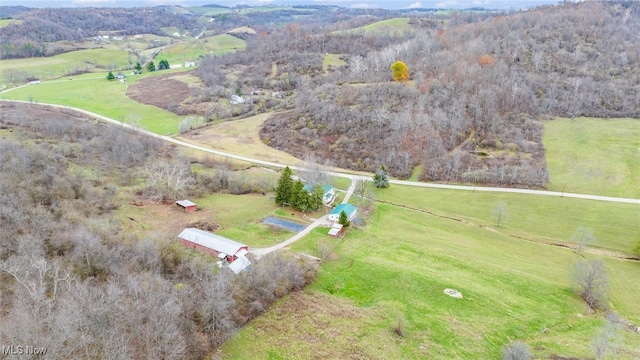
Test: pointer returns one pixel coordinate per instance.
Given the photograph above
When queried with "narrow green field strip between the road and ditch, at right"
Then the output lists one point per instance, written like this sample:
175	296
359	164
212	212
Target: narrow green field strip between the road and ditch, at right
535	218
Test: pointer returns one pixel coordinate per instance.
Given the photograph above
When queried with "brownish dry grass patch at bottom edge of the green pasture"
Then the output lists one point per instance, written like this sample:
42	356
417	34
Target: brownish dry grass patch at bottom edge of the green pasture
325	328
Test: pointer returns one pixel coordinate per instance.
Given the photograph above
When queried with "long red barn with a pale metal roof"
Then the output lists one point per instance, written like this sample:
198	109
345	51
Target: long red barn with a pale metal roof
213	244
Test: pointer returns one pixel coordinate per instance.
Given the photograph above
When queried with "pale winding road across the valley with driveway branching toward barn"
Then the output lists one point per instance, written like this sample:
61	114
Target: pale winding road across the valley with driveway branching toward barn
323	221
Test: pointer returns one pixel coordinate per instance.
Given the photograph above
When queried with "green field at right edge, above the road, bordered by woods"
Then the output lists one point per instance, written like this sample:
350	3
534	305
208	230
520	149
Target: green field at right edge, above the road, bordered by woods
594	156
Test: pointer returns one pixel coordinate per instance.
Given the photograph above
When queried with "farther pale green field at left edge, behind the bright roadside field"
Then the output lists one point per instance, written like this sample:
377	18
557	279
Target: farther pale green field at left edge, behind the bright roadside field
56	66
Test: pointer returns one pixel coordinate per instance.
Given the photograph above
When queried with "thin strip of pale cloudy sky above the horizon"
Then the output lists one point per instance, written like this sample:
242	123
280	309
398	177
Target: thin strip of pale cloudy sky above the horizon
386	4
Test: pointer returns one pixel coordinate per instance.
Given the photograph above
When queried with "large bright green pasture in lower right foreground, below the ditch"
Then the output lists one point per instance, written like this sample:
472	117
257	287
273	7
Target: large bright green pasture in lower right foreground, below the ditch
398	268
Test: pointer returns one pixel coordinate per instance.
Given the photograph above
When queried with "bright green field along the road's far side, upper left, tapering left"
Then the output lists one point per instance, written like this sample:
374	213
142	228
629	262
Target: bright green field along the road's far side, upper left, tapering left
102	97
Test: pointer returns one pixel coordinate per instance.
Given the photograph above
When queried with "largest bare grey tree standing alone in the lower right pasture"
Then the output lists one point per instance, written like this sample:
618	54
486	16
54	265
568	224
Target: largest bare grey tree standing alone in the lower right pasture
591	278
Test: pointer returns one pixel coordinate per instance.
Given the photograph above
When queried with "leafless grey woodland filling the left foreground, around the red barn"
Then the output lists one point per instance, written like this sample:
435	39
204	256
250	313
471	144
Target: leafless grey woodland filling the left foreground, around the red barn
73	281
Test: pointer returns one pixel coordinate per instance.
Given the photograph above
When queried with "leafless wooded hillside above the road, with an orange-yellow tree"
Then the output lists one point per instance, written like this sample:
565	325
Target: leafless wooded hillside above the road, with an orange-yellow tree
472	111
